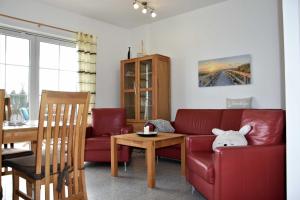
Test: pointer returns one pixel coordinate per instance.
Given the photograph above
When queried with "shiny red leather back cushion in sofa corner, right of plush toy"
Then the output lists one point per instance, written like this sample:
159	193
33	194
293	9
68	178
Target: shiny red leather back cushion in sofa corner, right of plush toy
267	126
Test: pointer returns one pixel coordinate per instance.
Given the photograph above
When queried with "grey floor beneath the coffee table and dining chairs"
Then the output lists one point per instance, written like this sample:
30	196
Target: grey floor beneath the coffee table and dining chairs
132	184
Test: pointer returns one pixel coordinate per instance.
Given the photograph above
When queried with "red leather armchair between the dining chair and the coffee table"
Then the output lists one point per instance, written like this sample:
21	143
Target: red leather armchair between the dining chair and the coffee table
105	123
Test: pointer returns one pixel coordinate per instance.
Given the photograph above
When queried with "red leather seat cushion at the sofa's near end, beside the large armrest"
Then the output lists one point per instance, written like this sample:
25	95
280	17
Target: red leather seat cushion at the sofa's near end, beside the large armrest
202	163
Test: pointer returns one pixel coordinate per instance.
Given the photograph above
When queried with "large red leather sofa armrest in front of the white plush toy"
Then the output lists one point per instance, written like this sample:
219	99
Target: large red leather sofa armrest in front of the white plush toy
256	170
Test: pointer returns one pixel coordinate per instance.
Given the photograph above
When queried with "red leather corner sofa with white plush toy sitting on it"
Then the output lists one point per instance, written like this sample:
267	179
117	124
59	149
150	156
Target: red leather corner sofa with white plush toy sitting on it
256	171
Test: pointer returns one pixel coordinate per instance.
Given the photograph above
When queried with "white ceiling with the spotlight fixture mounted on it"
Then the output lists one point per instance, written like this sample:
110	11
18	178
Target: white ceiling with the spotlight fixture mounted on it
121	12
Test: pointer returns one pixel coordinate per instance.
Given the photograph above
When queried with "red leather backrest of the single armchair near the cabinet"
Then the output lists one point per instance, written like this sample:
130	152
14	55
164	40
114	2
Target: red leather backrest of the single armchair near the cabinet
108	121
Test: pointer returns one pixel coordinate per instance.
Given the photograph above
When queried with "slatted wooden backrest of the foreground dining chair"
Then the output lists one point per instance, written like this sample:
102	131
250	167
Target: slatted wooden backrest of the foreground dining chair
62	125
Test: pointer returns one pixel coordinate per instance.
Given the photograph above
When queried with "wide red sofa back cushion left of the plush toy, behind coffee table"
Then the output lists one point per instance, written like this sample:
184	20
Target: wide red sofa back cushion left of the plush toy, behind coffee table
197	121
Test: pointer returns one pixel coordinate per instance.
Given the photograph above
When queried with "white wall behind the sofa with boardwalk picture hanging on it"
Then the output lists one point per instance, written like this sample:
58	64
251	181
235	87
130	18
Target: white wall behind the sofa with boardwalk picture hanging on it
234	27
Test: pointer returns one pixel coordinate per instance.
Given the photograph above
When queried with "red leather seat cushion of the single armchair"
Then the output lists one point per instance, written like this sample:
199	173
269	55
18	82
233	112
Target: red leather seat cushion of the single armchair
98	143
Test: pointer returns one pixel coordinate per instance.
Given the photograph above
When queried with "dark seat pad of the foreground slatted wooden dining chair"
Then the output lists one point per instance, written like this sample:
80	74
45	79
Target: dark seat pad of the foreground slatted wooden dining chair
26	165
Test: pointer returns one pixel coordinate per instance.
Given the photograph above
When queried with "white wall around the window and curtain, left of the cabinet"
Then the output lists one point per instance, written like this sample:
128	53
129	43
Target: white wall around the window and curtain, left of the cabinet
112	40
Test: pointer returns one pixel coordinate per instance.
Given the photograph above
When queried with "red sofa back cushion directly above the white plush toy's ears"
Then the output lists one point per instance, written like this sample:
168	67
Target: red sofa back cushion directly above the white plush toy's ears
231	119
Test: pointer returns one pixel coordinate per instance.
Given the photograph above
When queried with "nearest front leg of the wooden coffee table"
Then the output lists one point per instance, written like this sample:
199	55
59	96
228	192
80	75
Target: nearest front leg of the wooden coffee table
150	164
